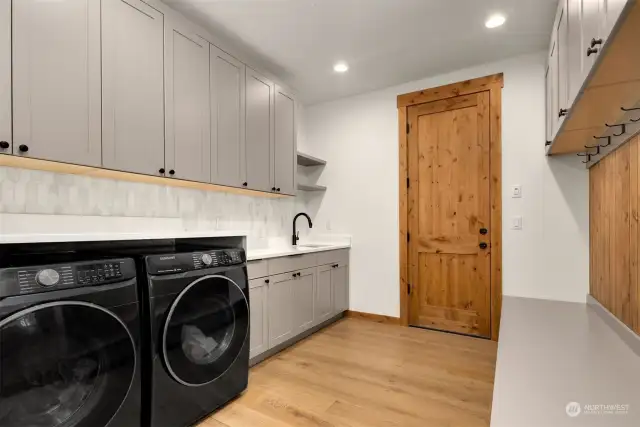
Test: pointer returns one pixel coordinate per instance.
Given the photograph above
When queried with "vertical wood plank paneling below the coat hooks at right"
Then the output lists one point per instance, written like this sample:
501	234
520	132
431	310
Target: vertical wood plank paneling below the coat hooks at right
614	193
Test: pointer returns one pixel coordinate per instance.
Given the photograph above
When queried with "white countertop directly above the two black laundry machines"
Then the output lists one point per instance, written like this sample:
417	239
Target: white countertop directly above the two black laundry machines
113	236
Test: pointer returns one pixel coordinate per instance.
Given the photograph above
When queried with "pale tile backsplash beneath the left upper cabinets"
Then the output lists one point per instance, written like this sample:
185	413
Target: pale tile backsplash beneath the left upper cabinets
24	191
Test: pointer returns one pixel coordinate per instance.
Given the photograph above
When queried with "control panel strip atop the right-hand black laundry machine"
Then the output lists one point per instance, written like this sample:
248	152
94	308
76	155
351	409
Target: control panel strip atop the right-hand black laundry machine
181	262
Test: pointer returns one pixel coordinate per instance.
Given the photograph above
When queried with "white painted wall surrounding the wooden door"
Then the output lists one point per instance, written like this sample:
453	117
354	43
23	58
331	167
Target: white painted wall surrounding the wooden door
358	137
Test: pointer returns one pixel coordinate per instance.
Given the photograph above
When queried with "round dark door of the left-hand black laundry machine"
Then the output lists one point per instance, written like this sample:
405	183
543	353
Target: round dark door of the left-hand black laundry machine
64	364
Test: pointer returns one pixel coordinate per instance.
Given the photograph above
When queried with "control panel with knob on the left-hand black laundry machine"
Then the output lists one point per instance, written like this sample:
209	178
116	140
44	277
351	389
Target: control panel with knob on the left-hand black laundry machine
36	279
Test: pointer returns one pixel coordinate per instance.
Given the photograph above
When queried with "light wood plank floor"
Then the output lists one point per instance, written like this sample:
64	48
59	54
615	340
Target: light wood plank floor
363	374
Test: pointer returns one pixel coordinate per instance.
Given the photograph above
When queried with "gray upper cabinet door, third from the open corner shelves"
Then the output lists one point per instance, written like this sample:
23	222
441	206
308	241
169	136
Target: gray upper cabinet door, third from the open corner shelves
227	119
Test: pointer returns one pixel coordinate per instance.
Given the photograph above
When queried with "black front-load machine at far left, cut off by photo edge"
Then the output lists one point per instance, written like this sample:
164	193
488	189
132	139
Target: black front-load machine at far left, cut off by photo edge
69	343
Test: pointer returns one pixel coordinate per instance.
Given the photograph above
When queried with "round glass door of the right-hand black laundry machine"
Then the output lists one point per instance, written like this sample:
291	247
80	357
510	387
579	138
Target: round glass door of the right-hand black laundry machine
205	330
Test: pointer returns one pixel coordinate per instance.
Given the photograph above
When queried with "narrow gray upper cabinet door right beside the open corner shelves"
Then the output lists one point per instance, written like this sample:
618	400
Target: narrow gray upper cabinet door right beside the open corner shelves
285	143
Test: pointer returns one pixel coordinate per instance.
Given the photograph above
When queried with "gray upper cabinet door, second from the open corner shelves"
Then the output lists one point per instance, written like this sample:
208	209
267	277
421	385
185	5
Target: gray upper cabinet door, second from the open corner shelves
259	132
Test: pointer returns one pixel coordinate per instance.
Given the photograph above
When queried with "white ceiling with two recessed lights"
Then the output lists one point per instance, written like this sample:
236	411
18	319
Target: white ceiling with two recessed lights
385	42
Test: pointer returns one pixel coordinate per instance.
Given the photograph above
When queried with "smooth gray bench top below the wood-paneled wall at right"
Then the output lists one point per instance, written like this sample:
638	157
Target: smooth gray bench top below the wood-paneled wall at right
553	353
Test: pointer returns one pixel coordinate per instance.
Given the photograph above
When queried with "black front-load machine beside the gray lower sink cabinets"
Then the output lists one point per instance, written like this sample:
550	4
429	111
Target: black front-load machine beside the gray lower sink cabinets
197	304
